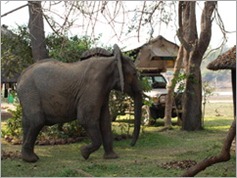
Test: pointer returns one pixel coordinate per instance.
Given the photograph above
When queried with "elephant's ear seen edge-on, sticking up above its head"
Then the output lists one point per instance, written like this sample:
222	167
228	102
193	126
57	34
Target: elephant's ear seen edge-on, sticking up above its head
118	57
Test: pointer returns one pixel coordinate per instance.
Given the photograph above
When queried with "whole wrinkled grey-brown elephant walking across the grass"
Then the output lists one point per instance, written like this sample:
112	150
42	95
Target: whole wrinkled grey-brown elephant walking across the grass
52	92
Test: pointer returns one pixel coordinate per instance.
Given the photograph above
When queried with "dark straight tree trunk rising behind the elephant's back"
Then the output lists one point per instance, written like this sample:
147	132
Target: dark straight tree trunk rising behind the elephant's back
36	26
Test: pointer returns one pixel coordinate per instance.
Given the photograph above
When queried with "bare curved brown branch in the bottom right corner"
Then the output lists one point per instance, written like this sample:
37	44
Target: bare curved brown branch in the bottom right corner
224	155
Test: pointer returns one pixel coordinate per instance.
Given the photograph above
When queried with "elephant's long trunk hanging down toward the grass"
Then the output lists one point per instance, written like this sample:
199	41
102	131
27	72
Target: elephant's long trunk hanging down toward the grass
137	120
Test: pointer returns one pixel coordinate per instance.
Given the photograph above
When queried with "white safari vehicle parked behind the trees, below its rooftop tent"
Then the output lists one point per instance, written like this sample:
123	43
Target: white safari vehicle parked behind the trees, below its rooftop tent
158	96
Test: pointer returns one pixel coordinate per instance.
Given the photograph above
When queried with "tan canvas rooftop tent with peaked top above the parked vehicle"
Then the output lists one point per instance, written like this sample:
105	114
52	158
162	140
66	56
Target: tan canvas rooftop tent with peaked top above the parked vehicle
157	55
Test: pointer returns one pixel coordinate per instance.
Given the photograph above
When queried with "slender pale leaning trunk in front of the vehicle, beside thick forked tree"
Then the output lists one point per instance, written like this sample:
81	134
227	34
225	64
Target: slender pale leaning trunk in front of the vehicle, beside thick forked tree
170	95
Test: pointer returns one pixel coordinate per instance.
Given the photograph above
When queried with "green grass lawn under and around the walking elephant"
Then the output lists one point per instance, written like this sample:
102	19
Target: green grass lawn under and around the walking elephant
145	159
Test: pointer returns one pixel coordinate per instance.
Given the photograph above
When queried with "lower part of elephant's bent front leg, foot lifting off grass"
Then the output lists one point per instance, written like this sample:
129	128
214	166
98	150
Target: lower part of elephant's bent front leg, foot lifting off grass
93	131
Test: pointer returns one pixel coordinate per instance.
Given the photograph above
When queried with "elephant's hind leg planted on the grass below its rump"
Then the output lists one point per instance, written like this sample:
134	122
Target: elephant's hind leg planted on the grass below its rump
31	127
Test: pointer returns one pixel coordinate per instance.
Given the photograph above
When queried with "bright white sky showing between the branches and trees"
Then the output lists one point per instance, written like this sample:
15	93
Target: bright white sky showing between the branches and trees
227	10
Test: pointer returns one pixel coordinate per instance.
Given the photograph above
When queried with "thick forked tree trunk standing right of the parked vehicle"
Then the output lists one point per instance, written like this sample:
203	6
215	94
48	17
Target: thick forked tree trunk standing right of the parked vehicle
194	51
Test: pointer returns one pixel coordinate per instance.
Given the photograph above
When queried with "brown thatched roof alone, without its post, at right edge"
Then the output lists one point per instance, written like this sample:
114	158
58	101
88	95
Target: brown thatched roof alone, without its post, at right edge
225	61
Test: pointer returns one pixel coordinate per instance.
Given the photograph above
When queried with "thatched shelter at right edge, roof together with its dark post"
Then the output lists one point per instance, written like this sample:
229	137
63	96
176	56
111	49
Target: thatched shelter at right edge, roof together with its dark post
227	61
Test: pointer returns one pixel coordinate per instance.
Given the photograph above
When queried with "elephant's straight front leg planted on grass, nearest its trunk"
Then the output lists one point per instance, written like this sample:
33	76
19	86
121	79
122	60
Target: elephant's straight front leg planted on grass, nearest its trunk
106	131
